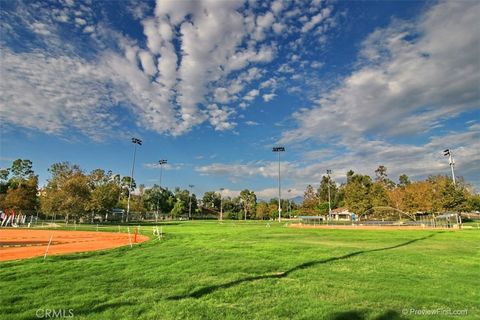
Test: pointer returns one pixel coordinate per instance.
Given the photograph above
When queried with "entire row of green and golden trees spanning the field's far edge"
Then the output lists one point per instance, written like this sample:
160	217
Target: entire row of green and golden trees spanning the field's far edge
72	193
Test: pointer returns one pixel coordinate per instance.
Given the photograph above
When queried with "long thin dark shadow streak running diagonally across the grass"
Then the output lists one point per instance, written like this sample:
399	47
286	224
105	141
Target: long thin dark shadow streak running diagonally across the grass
207	290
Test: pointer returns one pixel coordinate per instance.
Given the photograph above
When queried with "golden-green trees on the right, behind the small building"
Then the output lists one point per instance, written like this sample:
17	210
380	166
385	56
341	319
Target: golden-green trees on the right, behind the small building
360	193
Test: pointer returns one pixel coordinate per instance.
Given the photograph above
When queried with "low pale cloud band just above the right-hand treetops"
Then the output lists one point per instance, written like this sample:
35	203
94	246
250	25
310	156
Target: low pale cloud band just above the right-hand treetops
364	157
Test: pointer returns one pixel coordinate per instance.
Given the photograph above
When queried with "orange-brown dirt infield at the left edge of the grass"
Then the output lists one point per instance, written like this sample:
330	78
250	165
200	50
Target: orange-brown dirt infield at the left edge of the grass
21	243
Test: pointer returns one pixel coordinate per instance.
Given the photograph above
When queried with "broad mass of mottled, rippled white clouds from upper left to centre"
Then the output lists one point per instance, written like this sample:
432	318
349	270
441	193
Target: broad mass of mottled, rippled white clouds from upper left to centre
168	89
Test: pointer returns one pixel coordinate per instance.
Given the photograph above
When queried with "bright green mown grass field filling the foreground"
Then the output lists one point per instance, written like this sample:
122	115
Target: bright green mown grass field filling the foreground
206	270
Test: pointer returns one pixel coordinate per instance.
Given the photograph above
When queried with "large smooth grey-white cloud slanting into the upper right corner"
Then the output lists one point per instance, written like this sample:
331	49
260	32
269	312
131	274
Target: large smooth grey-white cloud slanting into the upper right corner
408	82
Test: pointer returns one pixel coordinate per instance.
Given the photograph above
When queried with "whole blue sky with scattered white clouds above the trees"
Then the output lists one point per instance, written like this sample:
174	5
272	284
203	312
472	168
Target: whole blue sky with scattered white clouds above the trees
211	86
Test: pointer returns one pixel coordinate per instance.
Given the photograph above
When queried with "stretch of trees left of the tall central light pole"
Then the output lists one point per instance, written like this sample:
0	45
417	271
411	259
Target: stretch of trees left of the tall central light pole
72	193
